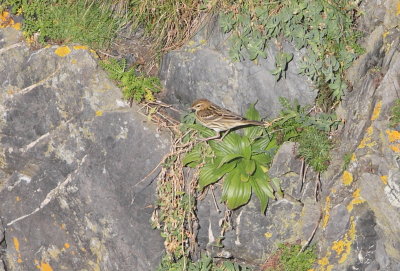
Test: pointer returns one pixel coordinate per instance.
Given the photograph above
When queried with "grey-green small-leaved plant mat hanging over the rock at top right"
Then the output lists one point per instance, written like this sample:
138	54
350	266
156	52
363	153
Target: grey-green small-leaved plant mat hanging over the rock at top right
325	28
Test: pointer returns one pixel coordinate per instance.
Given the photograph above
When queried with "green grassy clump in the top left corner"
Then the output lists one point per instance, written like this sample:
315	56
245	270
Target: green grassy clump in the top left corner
80	21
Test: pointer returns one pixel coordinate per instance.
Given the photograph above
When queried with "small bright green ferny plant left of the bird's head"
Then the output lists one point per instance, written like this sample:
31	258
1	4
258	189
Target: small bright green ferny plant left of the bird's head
134	87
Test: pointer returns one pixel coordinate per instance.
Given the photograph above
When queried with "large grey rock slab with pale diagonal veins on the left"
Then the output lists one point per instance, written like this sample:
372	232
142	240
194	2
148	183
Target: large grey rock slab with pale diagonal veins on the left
72	157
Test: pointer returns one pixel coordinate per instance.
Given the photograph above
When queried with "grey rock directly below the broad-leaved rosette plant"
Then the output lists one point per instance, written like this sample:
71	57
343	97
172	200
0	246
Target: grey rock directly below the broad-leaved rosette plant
254	235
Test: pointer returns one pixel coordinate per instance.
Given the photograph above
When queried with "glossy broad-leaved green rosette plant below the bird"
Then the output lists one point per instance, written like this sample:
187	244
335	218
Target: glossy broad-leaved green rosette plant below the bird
241	161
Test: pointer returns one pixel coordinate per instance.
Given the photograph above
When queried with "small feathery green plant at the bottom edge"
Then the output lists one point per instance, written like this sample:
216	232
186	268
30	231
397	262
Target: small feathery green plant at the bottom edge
291	259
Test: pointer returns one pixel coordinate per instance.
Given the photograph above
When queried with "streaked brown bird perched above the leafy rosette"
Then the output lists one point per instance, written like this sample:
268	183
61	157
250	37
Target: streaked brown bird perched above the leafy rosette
219	119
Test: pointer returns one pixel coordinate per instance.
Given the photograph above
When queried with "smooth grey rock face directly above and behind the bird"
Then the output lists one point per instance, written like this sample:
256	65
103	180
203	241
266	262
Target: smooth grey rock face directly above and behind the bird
203	69
